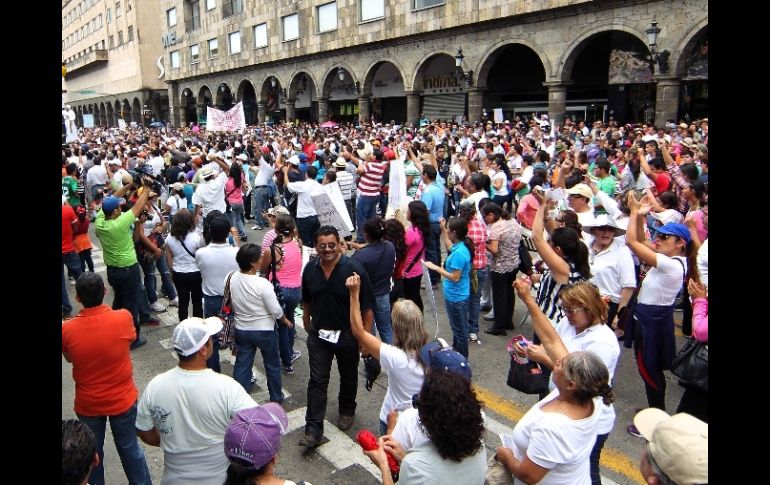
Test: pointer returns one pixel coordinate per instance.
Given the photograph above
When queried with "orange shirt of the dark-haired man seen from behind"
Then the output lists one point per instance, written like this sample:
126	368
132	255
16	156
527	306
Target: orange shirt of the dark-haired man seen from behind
97	343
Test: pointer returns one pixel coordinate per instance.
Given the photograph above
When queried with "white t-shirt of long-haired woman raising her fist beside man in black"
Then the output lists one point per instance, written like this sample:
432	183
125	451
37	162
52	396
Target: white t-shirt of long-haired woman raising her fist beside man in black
405	376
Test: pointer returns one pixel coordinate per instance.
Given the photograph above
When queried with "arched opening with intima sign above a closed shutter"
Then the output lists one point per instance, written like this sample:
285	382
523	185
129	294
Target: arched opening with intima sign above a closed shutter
442	87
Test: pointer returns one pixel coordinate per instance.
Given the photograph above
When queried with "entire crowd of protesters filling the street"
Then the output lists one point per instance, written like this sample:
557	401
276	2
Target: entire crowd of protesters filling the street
614	216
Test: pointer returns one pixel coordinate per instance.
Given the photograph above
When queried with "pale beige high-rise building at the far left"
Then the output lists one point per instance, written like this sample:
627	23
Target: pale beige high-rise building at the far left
112	50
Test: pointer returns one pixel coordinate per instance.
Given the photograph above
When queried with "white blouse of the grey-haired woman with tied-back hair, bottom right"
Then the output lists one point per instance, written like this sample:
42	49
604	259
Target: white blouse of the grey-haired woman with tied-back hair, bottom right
557	442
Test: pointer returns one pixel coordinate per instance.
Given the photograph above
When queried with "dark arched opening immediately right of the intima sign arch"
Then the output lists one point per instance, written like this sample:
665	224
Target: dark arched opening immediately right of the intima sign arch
514	75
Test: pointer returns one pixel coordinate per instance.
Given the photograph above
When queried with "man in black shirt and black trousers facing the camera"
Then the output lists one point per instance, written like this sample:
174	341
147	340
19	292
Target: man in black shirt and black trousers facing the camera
326	318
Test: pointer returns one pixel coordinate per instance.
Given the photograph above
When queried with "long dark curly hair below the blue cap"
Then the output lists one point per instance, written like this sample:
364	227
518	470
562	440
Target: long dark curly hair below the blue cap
450	414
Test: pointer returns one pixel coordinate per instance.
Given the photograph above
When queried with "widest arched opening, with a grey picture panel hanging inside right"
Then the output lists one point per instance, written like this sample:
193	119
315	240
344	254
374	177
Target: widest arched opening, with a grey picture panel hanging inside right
611	78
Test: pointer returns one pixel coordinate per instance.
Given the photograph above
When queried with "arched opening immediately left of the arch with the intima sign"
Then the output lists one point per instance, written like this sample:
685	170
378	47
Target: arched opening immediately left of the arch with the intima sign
386	84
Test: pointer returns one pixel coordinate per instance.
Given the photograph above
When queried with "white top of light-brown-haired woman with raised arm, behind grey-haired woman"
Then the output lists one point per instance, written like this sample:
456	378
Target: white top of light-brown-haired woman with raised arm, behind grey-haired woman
601	340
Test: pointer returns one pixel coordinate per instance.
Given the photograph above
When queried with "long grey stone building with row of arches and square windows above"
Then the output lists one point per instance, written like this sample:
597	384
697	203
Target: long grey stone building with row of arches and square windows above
397	59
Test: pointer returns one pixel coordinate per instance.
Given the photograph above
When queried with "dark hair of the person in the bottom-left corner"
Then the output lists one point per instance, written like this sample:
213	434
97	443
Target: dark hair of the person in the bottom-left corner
78	447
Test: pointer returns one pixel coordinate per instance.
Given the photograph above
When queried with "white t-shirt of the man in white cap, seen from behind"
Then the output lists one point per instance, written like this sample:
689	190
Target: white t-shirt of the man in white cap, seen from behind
191	410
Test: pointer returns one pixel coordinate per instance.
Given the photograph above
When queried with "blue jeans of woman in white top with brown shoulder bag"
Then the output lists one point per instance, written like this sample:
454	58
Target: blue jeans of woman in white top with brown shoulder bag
248	342
